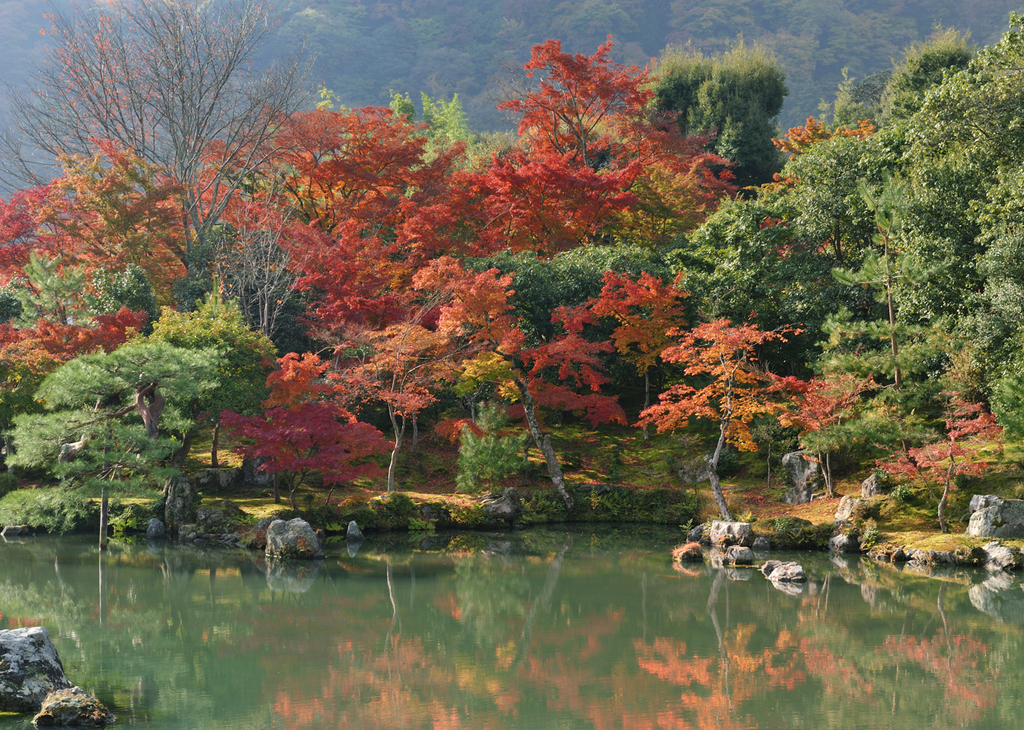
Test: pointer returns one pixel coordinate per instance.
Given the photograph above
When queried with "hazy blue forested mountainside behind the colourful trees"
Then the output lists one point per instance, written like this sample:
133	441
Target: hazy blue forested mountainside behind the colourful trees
366	49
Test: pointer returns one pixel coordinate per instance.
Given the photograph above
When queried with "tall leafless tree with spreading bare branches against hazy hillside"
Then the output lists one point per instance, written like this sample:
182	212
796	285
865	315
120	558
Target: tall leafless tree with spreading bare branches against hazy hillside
173	80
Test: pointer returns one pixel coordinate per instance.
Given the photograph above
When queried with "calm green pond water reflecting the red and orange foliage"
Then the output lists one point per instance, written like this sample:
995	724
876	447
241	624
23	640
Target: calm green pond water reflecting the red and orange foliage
530	630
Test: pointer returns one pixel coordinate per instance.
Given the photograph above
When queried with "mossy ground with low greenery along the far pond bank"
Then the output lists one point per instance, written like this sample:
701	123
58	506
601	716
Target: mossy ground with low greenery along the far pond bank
616	475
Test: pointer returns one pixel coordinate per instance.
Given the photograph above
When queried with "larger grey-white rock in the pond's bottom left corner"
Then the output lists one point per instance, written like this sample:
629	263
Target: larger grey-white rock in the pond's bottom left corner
30	669
